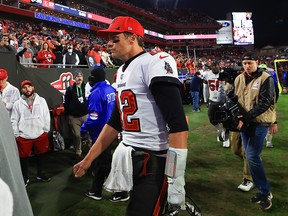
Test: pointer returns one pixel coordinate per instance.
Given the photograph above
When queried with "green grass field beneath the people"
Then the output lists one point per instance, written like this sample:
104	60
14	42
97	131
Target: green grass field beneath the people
212	176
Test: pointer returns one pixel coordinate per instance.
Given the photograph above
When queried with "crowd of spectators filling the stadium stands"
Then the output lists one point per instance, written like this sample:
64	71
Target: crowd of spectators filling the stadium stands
26	40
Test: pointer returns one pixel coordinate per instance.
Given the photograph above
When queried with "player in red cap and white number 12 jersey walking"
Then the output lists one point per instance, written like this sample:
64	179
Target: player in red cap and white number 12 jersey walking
146	85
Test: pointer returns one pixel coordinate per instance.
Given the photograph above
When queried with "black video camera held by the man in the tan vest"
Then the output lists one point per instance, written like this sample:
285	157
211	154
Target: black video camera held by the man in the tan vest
228	112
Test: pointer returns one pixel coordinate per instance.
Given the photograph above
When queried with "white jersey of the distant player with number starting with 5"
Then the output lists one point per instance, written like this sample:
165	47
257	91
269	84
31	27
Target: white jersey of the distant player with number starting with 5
216	87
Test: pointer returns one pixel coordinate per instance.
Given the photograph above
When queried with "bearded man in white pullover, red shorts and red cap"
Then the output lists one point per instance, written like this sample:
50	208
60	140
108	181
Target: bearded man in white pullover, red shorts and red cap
31	123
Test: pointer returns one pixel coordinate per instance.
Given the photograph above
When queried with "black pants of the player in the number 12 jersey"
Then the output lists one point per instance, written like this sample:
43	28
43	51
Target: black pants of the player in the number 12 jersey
148	181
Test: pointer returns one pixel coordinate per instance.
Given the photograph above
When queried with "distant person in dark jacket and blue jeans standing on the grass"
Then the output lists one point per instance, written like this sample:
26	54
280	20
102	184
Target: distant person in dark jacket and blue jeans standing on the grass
195	88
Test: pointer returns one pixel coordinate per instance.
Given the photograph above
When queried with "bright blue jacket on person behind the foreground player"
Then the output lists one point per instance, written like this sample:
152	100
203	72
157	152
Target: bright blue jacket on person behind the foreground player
101	102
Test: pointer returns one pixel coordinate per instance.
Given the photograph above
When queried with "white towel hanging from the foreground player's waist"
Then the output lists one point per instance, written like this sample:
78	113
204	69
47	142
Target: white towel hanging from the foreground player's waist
121	175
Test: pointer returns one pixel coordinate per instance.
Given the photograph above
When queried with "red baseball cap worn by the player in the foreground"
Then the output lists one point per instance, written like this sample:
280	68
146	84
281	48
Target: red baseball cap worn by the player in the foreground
122	24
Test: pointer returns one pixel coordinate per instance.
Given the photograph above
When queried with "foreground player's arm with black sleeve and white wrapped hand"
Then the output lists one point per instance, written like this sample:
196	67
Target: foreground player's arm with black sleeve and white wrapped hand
168	99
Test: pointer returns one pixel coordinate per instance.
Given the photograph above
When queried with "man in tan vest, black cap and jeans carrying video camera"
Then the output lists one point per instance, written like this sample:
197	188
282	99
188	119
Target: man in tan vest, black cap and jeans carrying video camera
256	95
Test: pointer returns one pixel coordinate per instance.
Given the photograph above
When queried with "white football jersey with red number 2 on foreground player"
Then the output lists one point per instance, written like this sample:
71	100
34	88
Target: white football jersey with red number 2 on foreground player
142	122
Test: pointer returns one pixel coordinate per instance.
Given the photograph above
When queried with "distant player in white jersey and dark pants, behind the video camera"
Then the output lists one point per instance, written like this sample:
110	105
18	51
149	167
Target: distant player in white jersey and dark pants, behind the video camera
216	98
